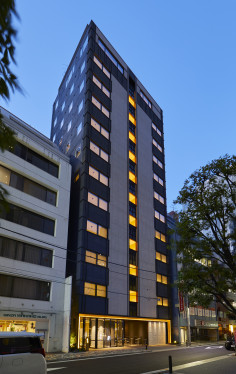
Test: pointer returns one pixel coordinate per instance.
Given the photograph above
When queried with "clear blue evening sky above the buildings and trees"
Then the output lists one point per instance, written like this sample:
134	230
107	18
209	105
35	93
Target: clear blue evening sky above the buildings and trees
182	51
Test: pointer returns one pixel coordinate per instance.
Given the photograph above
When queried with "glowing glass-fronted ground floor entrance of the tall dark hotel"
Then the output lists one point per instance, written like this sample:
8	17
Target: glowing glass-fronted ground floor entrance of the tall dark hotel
105	331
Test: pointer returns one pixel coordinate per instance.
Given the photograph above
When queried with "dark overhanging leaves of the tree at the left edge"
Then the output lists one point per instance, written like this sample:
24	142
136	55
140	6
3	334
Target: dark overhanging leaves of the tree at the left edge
8	81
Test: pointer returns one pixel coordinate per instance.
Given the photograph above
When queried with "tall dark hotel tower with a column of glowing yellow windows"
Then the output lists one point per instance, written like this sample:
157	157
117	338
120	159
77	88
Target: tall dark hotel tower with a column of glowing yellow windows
112	129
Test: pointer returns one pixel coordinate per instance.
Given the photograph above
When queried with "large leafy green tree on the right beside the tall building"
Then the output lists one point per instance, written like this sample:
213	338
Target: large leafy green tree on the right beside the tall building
207	230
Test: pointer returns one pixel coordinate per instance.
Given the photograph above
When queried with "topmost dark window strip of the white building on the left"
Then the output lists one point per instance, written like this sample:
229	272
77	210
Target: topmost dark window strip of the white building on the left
35	159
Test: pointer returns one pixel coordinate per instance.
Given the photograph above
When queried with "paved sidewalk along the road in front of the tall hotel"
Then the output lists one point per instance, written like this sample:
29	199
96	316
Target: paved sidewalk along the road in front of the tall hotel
50	357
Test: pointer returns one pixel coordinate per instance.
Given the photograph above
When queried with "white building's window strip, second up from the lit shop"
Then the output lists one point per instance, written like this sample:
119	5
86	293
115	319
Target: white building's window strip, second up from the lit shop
25	252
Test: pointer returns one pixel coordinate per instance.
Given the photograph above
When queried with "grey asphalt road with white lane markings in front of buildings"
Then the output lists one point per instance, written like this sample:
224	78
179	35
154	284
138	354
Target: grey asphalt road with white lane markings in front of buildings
203	360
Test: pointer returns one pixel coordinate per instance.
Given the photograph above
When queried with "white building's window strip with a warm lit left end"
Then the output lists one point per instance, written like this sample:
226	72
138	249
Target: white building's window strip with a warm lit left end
26	185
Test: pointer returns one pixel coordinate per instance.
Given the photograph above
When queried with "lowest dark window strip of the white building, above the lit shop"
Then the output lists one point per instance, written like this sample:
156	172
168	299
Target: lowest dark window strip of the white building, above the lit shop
24	288
